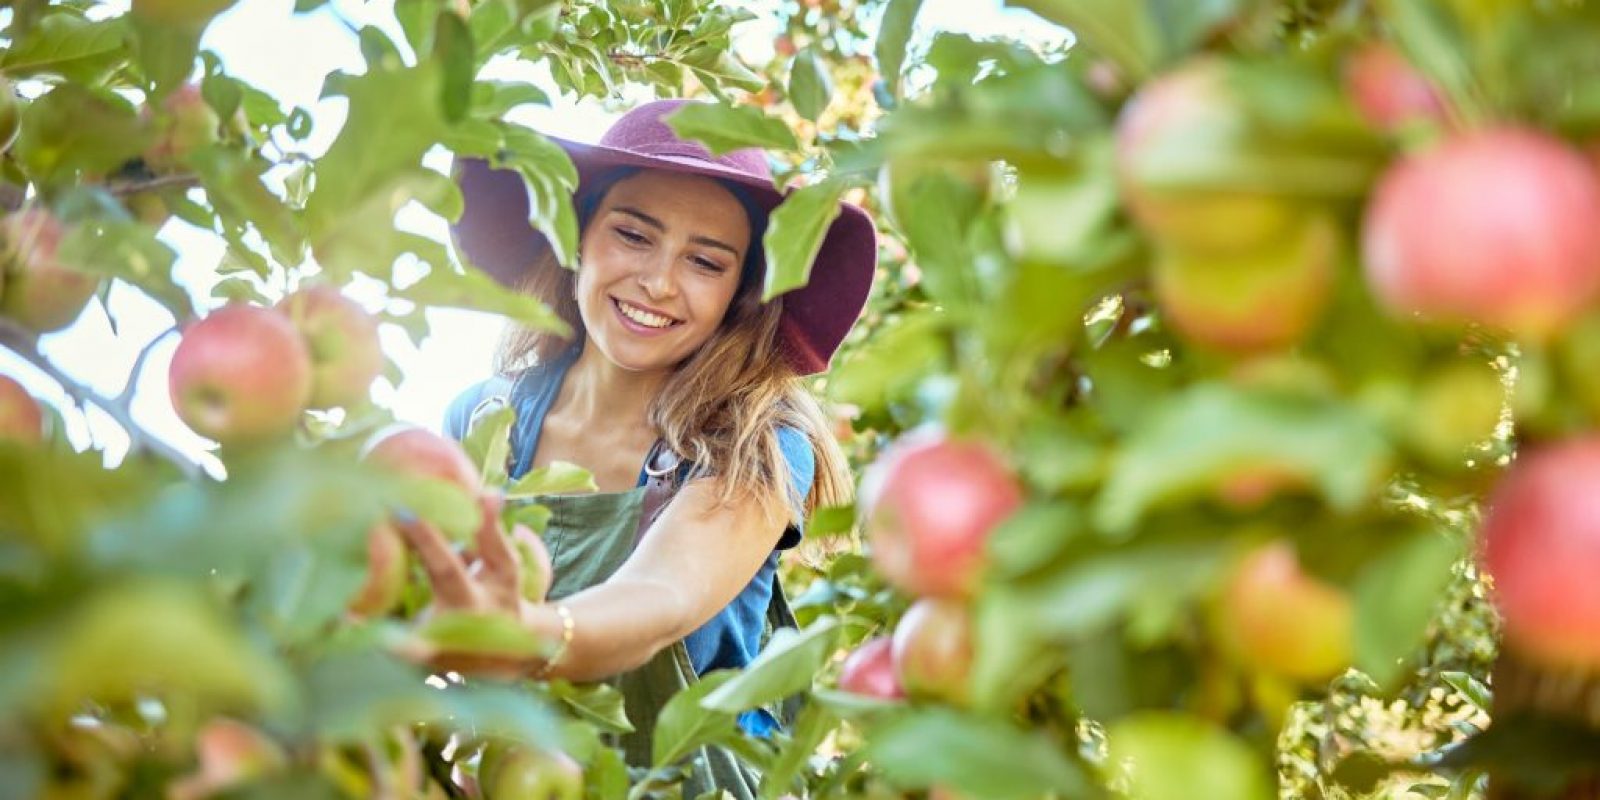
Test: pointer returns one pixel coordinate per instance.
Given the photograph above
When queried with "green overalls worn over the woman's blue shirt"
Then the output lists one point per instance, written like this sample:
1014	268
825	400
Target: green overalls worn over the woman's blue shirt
590	537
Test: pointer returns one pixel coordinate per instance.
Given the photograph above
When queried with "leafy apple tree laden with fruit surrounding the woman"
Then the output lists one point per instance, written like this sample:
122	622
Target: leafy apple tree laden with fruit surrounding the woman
1226	364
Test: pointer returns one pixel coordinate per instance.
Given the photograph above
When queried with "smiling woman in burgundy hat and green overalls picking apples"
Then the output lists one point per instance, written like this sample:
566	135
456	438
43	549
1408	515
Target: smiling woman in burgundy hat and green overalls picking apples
681	383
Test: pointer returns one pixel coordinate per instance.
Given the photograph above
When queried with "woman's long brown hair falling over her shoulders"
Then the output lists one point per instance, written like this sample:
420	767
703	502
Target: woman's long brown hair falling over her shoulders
722	406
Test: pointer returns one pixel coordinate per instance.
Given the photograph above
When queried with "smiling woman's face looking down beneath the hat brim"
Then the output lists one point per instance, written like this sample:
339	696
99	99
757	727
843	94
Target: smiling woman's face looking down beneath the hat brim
660	266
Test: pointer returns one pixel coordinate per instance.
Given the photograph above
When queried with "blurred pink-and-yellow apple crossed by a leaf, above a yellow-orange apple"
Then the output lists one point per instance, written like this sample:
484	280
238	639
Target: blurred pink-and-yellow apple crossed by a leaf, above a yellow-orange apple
1161	130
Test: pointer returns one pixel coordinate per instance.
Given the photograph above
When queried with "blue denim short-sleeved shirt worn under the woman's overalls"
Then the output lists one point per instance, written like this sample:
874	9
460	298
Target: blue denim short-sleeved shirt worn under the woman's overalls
729	641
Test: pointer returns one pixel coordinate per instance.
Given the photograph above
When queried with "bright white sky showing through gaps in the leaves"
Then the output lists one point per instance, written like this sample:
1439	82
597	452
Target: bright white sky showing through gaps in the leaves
289	55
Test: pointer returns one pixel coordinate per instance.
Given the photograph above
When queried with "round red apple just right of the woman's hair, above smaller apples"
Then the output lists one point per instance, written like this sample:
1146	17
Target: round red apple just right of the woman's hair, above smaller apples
932	506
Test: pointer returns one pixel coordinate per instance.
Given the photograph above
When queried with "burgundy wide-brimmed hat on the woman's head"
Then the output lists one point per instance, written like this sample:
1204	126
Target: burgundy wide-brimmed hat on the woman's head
495	236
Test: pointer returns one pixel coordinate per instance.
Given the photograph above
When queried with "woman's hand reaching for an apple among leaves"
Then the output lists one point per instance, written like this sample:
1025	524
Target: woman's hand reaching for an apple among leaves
489	583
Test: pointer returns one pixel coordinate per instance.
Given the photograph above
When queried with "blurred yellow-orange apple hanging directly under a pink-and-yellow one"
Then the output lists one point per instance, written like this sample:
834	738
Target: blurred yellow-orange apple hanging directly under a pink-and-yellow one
1250	302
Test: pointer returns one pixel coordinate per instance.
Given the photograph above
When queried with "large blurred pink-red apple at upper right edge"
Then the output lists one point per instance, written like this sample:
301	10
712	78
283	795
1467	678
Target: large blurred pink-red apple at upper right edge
1495	226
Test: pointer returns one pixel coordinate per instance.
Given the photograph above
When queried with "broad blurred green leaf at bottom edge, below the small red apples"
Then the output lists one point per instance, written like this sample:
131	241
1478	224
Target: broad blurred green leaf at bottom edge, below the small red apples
975	756
